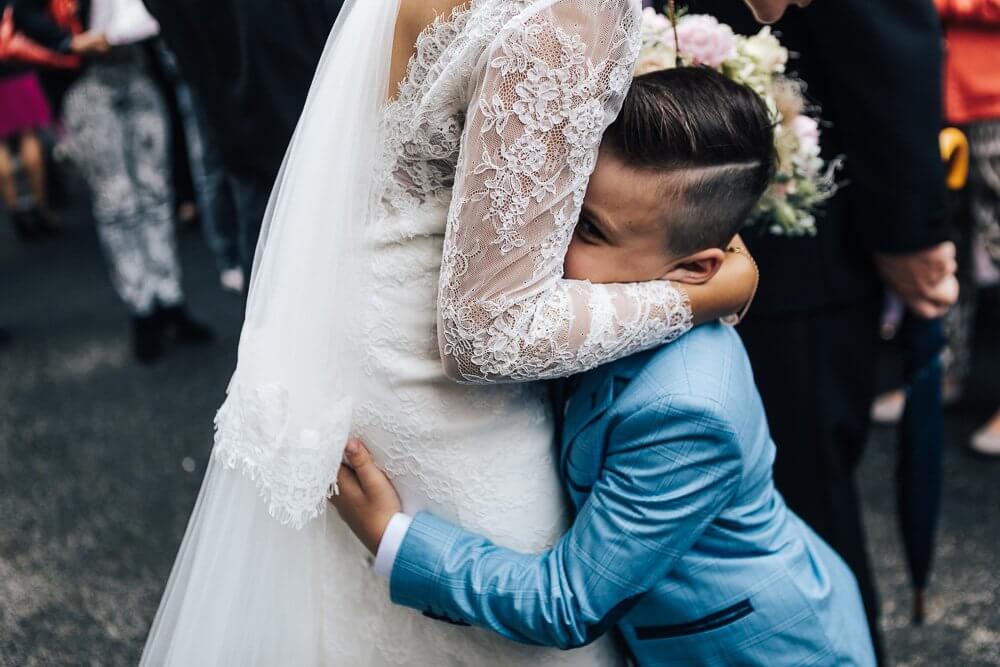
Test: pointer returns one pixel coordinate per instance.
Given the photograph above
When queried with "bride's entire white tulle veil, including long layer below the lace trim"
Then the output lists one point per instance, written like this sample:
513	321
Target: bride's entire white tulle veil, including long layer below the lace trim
243	588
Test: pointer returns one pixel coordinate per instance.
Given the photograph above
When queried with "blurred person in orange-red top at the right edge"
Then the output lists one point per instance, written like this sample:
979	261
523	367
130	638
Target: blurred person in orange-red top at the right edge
972	102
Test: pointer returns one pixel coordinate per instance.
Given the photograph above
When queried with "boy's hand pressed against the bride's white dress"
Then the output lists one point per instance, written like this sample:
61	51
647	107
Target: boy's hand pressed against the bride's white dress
367	500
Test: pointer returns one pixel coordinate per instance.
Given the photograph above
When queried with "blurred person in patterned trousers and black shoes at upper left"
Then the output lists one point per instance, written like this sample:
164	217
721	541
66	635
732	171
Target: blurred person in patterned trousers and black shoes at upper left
117	123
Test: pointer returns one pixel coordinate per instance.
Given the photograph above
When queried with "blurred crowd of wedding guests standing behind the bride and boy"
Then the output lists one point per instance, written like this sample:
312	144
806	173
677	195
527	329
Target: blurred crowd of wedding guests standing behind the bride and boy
180	110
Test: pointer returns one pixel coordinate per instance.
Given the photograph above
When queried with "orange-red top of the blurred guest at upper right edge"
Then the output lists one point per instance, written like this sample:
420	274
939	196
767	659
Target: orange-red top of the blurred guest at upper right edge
972	68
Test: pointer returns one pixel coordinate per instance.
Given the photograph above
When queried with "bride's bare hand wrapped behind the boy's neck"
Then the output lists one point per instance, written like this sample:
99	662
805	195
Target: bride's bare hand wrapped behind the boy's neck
729	293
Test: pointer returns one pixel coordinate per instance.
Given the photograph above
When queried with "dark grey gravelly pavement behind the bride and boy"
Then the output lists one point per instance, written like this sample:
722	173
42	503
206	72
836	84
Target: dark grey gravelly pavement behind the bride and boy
100	462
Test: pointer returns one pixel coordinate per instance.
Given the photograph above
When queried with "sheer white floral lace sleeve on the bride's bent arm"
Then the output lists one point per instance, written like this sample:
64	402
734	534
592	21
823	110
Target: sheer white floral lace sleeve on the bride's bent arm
550	86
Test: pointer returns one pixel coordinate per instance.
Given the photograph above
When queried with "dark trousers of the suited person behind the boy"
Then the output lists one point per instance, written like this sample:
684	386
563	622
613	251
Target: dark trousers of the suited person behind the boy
816	374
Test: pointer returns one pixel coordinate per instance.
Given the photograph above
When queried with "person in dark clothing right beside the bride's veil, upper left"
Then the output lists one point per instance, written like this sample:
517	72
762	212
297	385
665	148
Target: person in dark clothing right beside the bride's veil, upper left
251	63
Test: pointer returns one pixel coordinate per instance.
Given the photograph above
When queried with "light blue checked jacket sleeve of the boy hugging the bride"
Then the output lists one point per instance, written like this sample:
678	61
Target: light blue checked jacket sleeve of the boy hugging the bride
669	471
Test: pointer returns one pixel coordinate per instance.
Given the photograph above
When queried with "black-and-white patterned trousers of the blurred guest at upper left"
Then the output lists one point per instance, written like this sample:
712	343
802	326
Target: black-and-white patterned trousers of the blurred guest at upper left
120	135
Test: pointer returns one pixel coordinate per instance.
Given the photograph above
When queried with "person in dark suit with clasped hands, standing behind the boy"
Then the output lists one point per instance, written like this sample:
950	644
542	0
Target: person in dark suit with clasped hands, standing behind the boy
874	66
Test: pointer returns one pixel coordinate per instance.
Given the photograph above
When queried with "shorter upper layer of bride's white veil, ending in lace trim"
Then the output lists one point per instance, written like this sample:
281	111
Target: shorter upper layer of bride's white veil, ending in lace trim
287	413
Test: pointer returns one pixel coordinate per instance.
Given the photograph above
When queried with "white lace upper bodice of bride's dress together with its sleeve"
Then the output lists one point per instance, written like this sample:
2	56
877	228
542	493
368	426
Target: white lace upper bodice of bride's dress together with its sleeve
499	120
